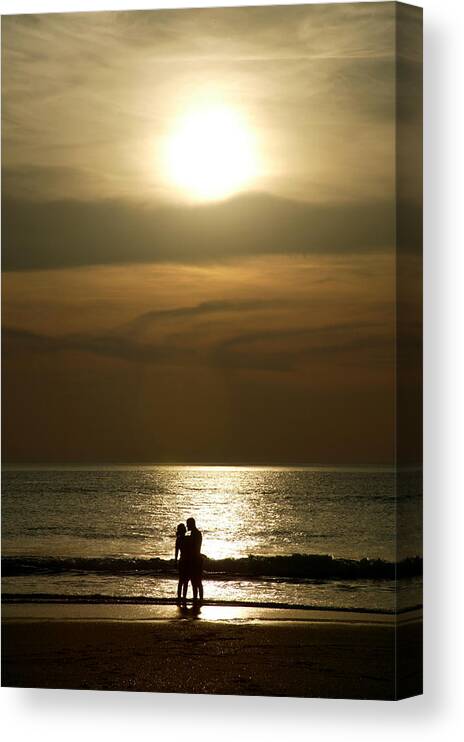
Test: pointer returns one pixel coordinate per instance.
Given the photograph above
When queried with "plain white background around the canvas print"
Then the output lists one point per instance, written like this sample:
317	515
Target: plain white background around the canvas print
79	716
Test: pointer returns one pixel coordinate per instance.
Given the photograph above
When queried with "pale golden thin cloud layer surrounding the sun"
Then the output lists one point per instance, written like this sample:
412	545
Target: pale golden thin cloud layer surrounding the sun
103	90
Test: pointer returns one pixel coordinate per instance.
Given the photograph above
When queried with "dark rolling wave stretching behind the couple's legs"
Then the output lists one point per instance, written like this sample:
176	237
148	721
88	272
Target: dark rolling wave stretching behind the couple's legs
289	567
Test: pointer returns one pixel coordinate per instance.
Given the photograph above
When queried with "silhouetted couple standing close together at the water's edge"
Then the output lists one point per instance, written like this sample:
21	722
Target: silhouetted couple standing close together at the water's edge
189	558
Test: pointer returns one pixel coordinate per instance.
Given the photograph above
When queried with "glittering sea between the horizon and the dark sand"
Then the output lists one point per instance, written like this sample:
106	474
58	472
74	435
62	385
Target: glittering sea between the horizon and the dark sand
312	536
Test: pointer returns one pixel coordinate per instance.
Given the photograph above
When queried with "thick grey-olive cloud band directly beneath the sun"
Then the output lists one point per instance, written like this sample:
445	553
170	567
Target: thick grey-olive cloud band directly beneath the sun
38	236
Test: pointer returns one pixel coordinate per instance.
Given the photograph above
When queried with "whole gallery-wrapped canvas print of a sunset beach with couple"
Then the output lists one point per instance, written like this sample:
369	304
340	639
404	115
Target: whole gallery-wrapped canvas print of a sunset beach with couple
211	273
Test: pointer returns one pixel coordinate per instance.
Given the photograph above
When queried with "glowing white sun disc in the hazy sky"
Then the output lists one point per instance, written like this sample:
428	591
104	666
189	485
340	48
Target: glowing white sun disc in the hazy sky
211	154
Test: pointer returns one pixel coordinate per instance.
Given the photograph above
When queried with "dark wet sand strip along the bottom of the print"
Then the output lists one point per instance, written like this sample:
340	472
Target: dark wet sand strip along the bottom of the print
223	650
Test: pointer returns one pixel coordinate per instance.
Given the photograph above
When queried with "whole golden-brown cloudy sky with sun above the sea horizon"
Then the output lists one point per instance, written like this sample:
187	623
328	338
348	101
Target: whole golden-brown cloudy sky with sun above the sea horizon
198	217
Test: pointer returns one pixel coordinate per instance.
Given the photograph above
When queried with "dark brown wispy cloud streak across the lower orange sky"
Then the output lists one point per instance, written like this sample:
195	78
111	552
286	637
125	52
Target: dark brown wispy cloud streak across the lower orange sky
265	349
